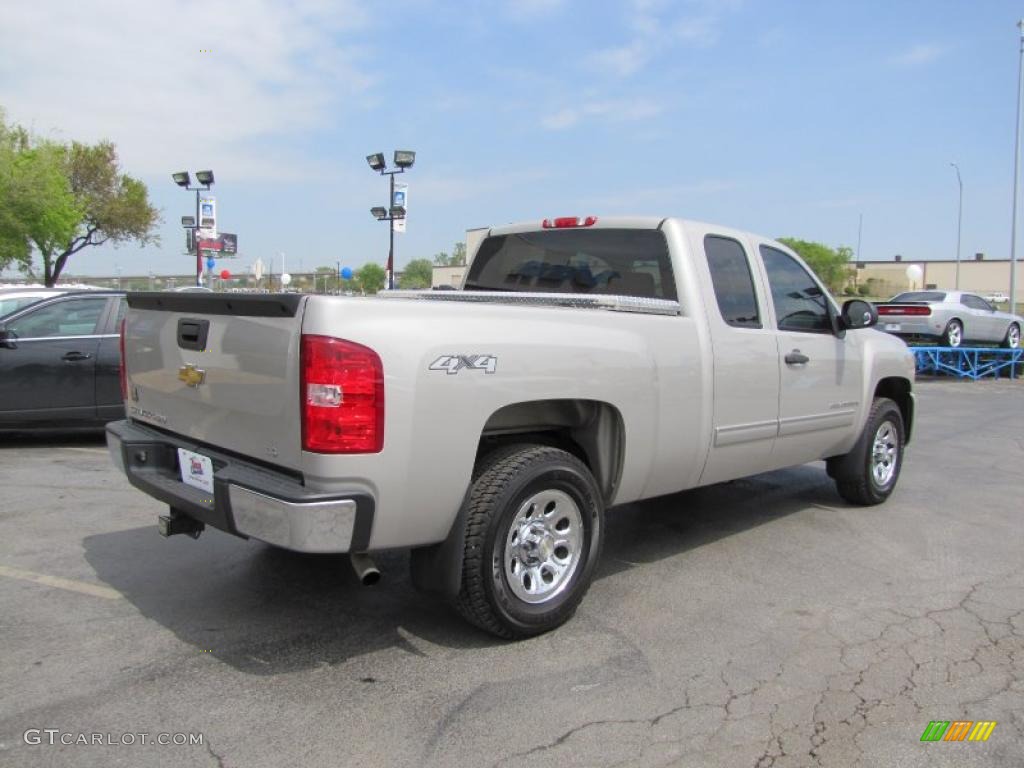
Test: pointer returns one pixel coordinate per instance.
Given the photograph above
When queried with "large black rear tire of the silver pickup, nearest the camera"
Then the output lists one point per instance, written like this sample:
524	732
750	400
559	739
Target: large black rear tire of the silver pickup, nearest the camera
503	484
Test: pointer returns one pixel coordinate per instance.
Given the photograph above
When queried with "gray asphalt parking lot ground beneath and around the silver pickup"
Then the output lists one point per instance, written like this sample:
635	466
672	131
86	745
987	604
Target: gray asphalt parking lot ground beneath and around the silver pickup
758	623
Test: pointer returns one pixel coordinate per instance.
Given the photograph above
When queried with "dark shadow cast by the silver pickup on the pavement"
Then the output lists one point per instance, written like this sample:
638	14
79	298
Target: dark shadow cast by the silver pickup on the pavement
266	612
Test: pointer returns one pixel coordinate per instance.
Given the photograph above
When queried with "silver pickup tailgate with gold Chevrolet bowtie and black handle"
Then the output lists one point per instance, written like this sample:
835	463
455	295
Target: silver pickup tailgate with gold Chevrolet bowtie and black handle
221	369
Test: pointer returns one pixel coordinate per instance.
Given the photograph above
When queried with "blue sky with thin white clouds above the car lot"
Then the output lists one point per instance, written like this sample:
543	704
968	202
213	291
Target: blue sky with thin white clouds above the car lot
785	118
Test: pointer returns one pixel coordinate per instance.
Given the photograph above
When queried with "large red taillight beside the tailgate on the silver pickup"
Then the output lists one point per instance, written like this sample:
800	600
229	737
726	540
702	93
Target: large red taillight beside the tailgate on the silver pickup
343	397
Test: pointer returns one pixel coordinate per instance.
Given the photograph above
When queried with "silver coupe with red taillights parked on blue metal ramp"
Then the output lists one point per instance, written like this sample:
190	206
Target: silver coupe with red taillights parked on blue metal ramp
952	318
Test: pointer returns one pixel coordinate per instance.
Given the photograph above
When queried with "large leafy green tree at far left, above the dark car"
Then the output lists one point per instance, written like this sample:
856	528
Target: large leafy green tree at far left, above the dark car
60	199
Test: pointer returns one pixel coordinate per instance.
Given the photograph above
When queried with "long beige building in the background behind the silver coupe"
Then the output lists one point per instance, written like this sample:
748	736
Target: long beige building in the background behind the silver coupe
885	279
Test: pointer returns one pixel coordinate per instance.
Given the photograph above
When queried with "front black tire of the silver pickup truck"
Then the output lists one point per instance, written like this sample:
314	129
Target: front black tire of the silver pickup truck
855	476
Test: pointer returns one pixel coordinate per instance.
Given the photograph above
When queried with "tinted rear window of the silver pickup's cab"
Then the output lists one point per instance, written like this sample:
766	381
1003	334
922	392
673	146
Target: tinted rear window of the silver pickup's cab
621	263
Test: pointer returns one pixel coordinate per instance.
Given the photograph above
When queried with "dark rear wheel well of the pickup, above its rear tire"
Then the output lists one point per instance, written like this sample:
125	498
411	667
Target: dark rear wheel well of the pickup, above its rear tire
591	431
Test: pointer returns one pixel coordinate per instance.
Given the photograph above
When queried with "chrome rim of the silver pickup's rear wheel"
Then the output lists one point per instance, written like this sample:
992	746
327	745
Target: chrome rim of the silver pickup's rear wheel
544	546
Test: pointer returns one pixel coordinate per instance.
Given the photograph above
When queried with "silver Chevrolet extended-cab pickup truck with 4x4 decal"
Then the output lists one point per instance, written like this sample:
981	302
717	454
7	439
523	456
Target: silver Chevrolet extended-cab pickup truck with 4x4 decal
586	363
